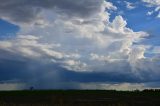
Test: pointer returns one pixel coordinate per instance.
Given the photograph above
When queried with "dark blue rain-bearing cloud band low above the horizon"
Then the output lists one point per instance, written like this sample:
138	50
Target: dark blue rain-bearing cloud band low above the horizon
14	67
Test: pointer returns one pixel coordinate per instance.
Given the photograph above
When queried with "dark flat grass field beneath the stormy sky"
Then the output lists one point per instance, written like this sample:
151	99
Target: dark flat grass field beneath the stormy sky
80	98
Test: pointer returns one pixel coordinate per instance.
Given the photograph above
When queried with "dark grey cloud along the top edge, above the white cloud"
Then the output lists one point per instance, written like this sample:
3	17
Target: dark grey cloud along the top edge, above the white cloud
27	10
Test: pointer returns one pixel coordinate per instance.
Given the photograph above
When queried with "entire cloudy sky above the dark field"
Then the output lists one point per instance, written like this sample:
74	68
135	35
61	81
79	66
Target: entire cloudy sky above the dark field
79	44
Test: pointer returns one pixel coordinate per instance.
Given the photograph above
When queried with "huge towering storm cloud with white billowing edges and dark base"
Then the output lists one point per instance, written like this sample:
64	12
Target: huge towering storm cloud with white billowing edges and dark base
72	42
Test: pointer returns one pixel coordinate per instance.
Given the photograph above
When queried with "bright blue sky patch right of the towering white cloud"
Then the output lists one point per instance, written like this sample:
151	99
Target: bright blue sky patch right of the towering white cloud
138	20
